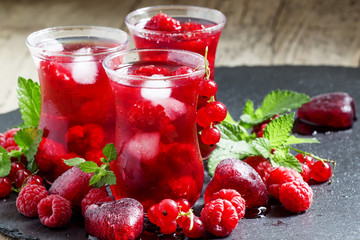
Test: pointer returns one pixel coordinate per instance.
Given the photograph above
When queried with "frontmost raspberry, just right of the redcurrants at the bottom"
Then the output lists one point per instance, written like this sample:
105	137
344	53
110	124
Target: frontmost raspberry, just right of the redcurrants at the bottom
219	217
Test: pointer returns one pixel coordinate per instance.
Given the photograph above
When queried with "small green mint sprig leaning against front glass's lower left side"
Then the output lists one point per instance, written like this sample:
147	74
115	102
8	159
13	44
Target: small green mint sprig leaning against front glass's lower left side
102	175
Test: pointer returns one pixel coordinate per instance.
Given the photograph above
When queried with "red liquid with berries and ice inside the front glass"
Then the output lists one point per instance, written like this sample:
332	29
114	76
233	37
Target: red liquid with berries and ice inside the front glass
156	140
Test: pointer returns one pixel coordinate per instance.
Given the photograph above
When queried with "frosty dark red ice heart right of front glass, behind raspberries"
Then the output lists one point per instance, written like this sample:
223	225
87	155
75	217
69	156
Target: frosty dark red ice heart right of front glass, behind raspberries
240	176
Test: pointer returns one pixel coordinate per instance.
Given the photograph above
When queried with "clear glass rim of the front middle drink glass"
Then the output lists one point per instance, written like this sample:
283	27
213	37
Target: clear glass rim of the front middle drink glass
200	70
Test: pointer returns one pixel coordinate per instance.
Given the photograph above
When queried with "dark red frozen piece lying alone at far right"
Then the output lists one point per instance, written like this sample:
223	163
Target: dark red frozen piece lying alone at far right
331	110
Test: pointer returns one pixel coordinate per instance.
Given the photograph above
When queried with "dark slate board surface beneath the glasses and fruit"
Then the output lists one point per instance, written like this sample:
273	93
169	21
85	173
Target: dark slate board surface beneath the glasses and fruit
335	211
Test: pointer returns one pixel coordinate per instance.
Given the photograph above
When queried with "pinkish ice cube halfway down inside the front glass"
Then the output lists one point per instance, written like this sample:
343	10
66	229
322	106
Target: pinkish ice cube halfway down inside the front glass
144	146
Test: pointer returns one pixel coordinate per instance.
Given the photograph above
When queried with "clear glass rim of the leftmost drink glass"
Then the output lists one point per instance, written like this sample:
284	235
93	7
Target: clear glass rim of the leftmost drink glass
31	41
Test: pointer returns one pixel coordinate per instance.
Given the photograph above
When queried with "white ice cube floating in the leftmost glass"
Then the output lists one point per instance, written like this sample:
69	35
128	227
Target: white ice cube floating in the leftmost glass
85	70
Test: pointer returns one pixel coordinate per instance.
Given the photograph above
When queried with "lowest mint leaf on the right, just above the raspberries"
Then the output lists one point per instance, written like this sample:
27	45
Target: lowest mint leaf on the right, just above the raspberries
282	157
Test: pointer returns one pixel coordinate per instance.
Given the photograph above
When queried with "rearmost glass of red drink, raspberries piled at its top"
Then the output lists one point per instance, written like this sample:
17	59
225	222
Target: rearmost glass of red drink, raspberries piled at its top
184	27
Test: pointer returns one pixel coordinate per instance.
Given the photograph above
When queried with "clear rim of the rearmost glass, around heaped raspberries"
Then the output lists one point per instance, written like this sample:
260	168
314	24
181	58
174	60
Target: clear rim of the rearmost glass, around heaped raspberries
139	11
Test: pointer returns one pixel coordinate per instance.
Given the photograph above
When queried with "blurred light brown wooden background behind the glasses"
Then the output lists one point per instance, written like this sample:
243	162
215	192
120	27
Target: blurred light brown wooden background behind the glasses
257	32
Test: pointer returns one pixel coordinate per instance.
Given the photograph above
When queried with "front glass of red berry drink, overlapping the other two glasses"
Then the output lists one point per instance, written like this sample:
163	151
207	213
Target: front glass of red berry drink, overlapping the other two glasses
155	97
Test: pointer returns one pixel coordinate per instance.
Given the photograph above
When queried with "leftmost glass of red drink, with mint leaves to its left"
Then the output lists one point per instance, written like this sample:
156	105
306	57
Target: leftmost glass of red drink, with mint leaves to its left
77	104
